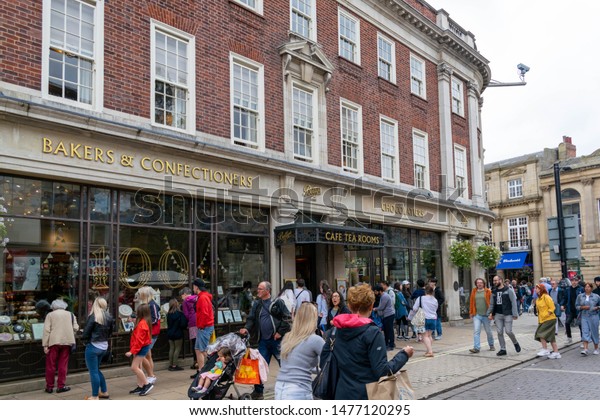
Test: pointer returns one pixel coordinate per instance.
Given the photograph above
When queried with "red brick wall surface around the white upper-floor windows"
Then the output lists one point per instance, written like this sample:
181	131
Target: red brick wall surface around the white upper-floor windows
221	26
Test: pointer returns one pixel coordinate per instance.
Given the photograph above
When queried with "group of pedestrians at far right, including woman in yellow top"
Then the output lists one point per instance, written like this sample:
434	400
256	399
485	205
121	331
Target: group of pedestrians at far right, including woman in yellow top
555	305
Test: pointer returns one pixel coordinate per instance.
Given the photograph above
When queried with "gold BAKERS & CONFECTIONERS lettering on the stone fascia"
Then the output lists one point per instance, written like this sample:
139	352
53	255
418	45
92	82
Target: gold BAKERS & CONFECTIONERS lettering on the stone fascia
160	166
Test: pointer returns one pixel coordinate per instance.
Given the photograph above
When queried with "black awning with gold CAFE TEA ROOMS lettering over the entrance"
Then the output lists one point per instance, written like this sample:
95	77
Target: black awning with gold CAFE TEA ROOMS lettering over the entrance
307	233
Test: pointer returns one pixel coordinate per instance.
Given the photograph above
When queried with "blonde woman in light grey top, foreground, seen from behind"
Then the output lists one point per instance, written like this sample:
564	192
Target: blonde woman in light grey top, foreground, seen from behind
300	351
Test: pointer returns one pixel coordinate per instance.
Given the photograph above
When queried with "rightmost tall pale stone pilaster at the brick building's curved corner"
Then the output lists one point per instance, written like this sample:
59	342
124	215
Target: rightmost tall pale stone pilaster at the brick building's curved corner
476	156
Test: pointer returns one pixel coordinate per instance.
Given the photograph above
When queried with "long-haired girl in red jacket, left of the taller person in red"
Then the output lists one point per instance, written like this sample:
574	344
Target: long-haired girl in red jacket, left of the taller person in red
139	346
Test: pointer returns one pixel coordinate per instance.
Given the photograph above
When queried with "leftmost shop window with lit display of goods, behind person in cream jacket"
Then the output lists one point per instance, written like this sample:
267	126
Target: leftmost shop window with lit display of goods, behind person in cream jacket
40	263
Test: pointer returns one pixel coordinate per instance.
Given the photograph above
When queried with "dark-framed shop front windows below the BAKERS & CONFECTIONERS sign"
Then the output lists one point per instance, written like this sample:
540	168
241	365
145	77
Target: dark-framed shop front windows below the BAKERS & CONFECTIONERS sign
76	242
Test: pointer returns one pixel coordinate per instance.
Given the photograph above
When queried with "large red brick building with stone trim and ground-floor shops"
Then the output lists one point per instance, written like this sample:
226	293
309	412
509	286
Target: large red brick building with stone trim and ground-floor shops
153	142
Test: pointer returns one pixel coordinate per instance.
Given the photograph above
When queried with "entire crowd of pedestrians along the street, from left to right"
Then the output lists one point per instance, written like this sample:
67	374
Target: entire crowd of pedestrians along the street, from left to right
298	331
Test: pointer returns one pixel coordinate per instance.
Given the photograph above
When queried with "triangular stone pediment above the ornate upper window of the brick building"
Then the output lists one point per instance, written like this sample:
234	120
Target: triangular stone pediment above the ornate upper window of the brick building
305	59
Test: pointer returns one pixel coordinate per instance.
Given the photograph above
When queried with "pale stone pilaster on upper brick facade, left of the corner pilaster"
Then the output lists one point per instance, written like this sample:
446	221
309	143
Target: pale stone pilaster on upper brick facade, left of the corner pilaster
446	144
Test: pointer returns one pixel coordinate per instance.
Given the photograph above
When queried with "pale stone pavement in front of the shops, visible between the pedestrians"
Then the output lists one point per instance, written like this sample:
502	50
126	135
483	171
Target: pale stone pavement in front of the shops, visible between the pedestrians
453	366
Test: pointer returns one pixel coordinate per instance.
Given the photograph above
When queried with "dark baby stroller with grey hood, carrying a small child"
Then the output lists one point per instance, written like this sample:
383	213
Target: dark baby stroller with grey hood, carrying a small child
219	387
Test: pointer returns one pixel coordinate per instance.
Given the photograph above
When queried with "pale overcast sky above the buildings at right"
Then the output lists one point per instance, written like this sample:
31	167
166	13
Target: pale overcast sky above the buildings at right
560	42
